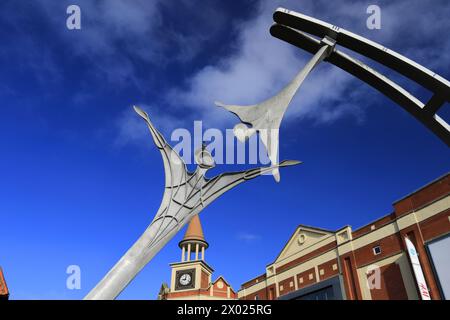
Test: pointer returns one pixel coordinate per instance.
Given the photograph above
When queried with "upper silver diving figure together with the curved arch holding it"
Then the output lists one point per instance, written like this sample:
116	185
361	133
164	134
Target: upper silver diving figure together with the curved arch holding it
265	118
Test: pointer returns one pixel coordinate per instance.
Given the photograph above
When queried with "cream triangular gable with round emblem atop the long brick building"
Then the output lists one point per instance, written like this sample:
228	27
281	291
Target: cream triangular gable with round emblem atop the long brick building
303	238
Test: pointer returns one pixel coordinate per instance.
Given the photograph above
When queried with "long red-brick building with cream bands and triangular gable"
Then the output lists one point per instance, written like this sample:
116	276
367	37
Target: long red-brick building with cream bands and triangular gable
342	264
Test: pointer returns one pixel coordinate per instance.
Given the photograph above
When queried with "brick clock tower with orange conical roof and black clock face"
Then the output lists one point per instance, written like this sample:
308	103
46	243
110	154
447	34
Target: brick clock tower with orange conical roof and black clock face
191	277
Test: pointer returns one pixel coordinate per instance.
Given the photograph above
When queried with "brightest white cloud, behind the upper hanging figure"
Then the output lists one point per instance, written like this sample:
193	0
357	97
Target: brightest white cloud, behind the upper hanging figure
260	67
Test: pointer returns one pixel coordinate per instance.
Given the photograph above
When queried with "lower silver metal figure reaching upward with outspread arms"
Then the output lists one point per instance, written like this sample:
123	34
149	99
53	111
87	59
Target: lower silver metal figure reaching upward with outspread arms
185	195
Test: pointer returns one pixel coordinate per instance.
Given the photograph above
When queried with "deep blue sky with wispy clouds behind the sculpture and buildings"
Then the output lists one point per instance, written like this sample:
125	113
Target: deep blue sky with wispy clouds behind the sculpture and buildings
80	178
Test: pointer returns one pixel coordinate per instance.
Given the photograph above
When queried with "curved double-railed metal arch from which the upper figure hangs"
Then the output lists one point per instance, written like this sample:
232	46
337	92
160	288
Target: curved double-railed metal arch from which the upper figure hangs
287	28
